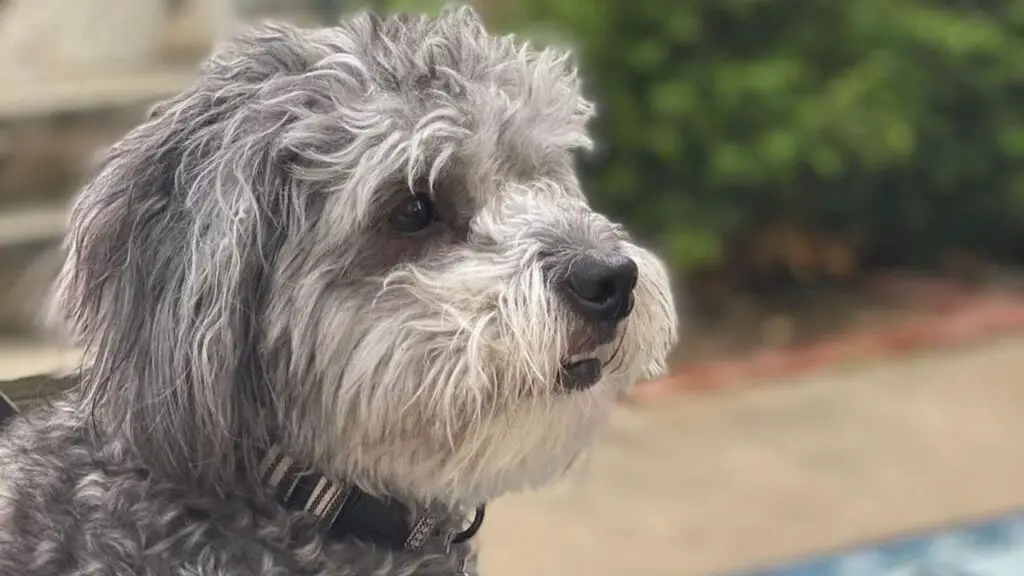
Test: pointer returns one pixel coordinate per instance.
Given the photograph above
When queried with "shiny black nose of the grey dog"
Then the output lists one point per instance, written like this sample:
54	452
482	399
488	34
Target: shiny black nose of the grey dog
601	289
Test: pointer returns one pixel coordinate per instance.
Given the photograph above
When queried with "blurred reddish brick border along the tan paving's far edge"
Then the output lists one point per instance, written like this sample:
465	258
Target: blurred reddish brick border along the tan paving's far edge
953	316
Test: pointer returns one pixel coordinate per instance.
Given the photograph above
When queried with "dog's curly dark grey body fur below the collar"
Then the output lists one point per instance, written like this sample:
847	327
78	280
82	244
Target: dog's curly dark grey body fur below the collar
67	505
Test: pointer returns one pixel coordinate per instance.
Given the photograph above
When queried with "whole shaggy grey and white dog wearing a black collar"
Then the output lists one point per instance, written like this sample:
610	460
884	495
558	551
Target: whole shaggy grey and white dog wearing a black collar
333	299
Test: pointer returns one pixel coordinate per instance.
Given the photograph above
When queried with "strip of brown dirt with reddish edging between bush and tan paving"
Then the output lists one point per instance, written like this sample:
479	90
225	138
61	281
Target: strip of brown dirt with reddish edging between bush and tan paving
778	338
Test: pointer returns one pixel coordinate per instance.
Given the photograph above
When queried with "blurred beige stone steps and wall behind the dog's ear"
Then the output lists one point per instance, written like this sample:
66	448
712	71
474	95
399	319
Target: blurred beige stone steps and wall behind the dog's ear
75	75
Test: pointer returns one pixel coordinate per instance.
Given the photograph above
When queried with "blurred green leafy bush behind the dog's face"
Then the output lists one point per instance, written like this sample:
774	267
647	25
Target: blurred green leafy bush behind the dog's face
814	136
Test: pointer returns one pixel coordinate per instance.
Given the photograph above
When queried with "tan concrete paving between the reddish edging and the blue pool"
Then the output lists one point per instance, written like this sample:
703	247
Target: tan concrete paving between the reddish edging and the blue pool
702	485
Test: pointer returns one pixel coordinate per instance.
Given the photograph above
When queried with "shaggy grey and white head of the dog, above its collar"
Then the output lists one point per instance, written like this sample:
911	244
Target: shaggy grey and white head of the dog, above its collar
369	244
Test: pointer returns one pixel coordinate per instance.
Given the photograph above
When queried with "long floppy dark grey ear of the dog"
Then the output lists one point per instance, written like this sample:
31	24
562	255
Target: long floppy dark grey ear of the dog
168	258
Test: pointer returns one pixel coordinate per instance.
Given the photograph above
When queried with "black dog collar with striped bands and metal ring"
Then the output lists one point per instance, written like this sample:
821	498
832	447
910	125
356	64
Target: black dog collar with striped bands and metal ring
346	512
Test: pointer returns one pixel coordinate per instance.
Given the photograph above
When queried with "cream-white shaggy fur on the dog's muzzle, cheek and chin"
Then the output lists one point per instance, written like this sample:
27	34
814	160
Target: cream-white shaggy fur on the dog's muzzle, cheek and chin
444	382
